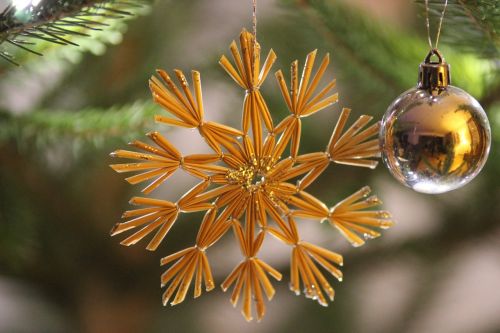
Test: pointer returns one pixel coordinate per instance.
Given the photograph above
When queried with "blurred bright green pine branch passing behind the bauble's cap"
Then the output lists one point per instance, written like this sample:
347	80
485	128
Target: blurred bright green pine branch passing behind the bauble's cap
379	61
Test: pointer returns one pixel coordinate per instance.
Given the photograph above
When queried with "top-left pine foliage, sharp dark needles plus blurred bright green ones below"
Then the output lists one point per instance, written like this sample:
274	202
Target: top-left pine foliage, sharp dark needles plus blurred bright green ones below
35	29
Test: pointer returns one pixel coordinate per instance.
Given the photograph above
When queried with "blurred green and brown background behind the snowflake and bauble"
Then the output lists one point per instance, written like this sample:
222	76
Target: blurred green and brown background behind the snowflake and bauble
436	270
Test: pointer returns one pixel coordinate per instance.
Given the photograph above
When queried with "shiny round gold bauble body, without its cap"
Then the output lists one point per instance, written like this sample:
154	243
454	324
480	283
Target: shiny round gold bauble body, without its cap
435	143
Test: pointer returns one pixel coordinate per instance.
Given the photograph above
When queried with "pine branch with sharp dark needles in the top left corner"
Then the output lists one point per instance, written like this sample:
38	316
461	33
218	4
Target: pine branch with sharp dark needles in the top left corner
56	22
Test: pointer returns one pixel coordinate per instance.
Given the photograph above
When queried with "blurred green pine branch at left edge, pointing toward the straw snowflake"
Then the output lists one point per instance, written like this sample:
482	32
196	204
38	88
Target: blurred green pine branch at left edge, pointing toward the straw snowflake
91	125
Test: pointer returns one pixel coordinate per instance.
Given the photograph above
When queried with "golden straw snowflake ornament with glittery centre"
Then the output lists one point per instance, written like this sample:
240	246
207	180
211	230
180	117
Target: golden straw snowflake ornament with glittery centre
248	184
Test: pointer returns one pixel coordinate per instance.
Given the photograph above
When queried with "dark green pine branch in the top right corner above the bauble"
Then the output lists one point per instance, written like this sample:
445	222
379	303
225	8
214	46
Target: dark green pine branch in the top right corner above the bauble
470	25
